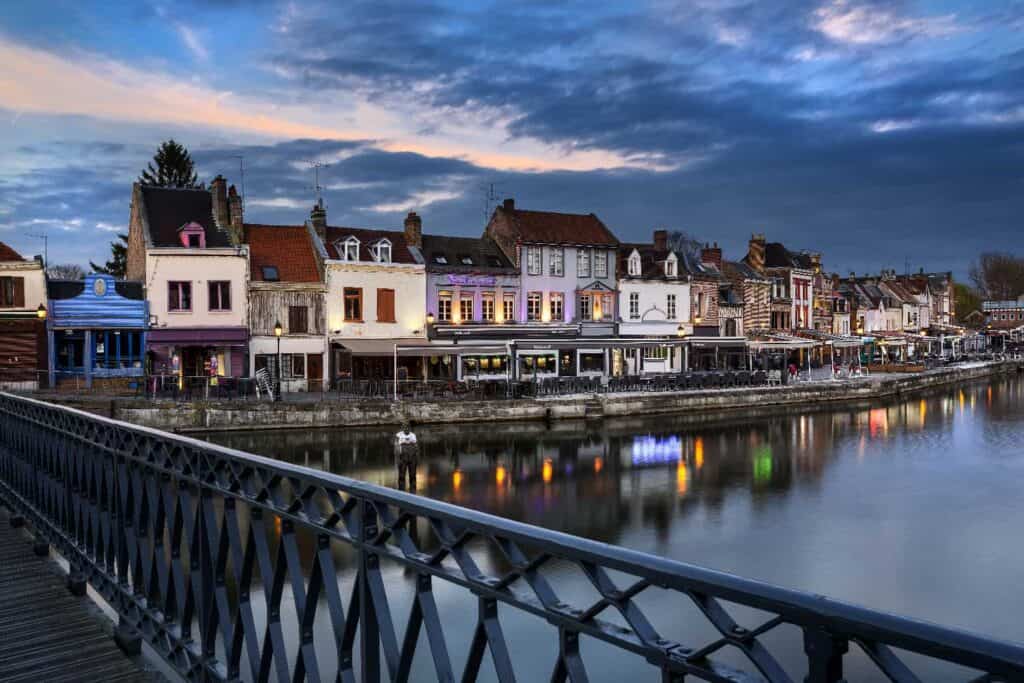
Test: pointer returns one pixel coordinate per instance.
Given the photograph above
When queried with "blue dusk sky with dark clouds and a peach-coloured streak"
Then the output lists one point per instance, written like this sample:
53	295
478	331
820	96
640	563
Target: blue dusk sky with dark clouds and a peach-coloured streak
882	135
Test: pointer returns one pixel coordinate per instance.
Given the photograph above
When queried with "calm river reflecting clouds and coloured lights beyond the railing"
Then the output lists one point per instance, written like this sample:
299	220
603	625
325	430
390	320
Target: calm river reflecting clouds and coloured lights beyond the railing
912	506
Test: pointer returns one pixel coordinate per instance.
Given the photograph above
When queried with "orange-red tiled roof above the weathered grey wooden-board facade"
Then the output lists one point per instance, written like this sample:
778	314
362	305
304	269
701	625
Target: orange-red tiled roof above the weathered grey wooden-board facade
288	248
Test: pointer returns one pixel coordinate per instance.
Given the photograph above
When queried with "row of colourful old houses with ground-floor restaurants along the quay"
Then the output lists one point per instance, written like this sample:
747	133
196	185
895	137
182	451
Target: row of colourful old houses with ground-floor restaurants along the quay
538	293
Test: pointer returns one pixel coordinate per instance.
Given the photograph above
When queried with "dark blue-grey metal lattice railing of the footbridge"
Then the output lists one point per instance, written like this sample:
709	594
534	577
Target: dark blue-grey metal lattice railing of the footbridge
235	567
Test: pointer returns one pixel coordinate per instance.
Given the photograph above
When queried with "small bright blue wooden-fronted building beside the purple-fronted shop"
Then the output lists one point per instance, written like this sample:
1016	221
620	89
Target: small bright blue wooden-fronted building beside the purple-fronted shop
97	328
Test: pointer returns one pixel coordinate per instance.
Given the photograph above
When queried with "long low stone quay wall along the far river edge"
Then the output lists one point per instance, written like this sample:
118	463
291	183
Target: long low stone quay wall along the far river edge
708	406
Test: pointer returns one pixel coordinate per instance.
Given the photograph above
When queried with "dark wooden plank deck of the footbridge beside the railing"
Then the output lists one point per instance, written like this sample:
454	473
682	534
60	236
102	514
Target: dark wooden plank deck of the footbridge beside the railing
48	634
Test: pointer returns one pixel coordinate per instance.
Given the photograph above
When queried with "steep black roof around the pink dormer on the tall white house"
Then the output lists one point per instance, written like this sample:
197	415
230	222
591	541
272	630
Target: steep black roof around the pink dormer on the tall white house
169	208
